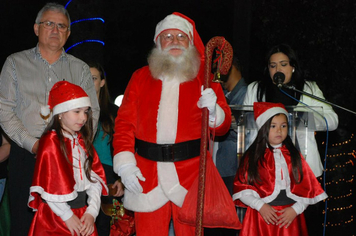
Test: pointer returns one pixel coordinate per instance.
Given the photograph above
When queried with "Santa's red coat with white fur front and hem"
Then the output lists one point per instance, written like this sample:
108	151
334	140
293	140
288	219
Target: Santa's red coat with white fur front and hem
155	111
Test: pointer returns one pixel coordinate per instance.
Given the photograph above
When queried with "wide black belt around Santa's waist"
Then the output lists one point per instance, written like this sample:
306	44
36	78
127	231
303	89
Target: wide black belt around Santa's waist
168	152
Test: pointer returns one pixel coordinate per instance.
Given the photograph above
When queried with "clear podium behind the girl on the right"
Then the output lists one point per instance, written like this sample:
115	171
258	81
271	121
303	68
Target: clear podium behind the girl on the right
300	123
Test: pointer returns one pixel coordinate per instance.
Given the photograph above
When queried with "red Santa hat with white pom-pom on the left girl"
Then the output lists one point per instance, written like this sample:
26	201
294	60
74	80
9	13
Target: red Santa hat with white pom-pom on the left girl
65	96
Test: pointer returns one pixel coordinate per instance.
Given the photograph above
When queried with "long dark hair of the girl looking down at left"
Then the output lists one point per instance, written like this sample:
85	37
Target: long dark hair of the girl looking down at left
87	134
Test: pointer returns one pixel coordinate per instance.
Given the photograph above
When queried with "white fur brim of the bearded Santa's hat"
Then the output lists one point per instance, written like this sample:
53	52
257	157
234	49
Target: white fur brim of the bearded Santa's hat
174	22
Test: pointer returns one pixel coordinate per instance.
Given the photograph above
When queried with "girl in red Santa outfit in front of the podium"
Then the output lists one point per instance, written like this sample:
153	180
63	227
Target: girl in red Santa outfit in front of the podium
273	179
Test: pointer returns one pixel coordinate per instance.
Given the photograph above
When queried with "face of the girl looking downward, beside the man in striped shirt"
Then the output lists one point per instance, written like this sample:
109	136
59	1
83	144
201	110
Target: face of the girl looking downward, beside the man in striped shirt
74	120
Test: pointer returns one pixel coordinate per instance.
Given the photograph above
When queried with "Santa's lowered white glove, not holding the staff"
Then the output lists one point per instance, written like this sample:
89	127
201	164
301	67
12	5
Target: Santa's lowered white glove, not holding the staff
130	174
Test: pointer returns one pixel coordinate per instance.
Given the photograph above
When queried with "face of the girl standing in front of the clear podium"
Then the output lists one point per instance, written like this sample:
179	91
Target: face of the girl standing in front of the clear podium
278	130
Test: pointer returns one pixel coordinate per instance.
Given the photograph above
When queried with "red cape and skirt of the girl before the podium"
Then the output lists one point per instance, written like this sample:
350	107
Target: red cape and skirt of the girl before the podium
308	191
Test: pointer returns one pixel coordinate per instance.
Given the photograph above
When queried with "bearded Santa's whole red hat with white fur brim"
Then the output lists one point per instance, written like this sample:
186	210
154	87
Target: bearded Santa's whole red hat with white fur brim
183	23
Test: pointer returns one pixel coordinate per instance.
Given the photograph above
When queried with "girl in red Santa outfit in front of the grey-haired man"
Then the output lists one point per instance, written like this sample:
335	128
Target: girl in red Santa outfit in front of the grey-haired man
69	178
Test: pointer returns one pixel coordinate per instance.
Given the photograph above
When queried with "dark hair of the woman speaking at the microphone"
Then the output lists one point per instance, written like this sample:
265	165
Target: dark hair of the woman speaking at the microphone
266	86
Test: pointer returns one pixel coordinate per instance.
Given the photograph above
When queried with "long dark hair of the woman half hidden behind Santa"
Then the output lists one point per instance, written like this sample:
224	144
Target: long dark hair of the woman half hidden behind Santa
106	120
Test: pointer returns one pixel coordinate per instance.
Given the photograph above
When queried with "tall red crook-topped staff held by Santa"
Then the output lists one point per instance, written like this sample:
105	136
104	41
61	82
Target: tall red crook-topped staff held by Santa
225	52
